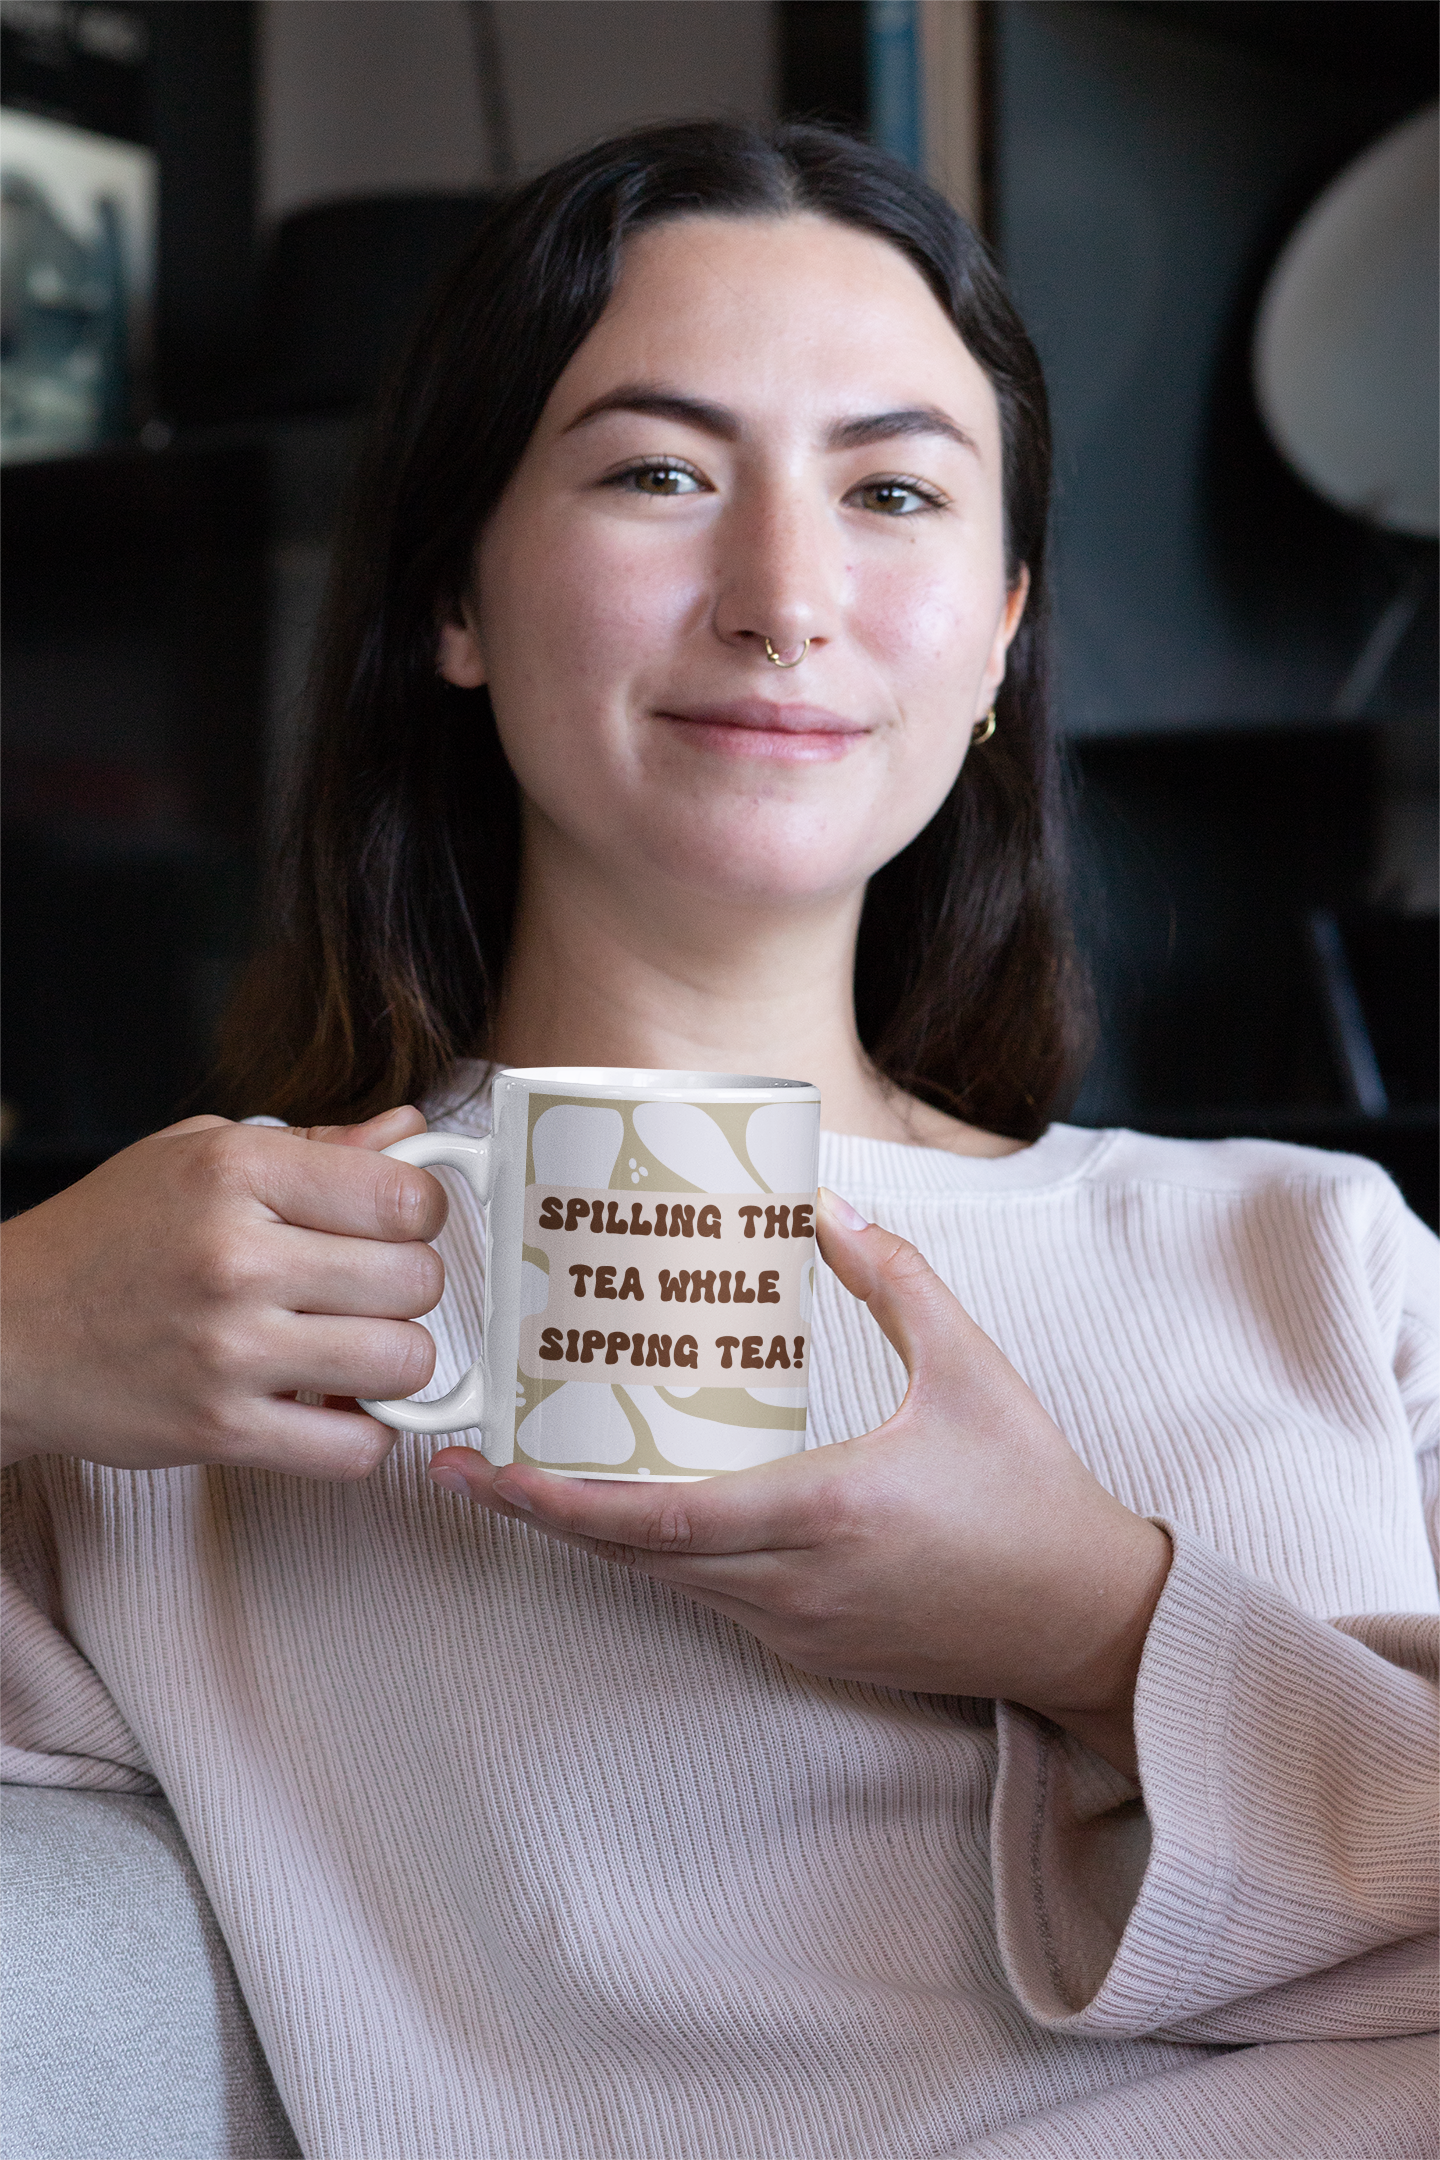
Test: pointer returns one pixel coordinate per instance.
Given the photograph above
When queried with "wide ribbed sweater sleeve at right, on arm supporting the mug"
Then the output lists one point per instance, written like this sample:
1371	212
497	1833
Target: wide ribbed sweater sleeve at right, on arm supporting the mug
1281	1878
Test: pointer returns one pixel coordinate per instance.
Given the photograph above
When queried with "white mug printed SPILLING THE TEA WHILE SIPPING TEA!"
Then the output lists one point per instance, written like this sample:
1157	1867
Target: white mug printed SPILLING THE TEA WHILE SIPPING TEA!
649	1271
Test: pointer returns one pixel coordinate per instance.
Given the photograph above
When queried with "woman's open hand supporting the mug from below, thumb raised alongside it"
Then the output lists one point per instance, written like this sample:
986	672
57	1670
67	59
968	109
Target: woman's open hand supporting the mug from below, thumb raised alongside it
960	1550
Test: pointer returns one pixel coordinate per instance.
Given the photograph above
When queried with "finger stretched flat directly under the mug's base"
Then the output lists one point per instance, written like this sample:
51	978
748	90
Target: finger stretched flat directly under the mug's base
776	1507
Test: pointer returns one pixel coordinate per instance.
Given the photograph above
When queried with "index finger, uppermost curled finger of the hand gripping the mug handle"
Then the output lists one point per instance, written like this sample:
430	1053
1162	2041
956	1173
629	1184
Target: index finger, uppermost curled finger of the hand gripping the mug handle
316	1185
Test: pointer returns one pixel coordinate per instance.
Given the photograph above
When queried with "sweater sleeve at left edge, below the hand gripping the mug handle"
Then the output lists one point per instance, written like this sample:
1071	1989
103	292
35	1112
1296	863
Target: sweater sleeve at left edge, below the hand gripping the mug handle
59	1723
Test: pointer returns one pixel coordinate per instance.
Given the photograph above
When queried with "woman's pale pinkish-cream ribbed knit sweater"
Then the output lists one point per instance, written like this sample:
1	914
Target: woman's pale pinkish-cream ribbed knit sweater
526	1859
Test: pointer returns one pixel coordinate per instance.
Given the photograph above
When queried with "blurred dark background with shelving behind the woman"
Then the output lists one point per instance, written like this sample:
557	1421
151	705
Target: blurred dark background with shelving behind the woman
1258	861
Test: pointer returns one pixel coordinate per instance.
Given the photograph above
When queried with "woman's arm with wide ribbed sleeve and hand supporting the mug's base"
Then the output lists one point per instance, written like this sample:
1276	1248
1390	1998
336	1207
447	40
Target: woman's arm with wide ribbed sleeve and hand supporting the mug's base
1279	1878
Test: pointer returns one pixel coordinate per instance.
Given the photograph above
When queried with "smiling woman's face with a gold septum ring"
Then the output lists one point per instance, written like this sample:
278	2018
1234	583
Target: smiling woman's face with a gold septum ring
774	433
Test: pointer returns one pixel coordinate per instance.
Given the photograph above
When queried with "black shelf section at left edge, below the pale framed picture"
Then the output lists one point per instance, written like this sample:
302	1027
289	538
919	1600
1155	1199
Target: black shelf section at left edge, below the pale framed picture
133	764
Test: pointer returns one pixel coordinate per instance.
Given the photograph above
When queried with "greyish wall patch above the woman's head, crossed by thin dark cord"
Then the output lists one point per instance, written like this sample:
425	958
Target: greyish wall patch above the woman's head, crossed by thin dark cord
364	96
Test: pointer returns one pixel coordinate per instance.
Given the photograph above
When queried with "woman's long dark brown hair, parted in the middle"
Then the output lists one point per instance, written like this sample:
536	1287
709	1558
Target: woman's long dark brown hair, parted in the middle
398	878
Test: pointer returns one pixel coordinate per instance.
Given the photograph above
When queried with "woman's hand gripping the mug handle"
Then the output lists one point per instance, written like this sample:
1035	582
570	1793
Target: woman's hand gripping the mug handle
169	1306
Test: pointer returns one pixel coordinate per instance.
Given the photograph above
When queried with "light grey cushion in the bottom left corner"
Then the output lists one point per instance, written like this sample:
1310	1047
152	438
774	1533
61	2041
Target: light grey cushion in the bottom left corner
122	2029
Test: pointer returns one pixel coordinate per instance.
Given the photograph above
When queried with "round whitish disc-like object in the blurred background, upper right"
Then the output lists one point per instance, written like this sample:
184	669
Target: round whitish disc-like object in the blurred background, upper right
1348	336
